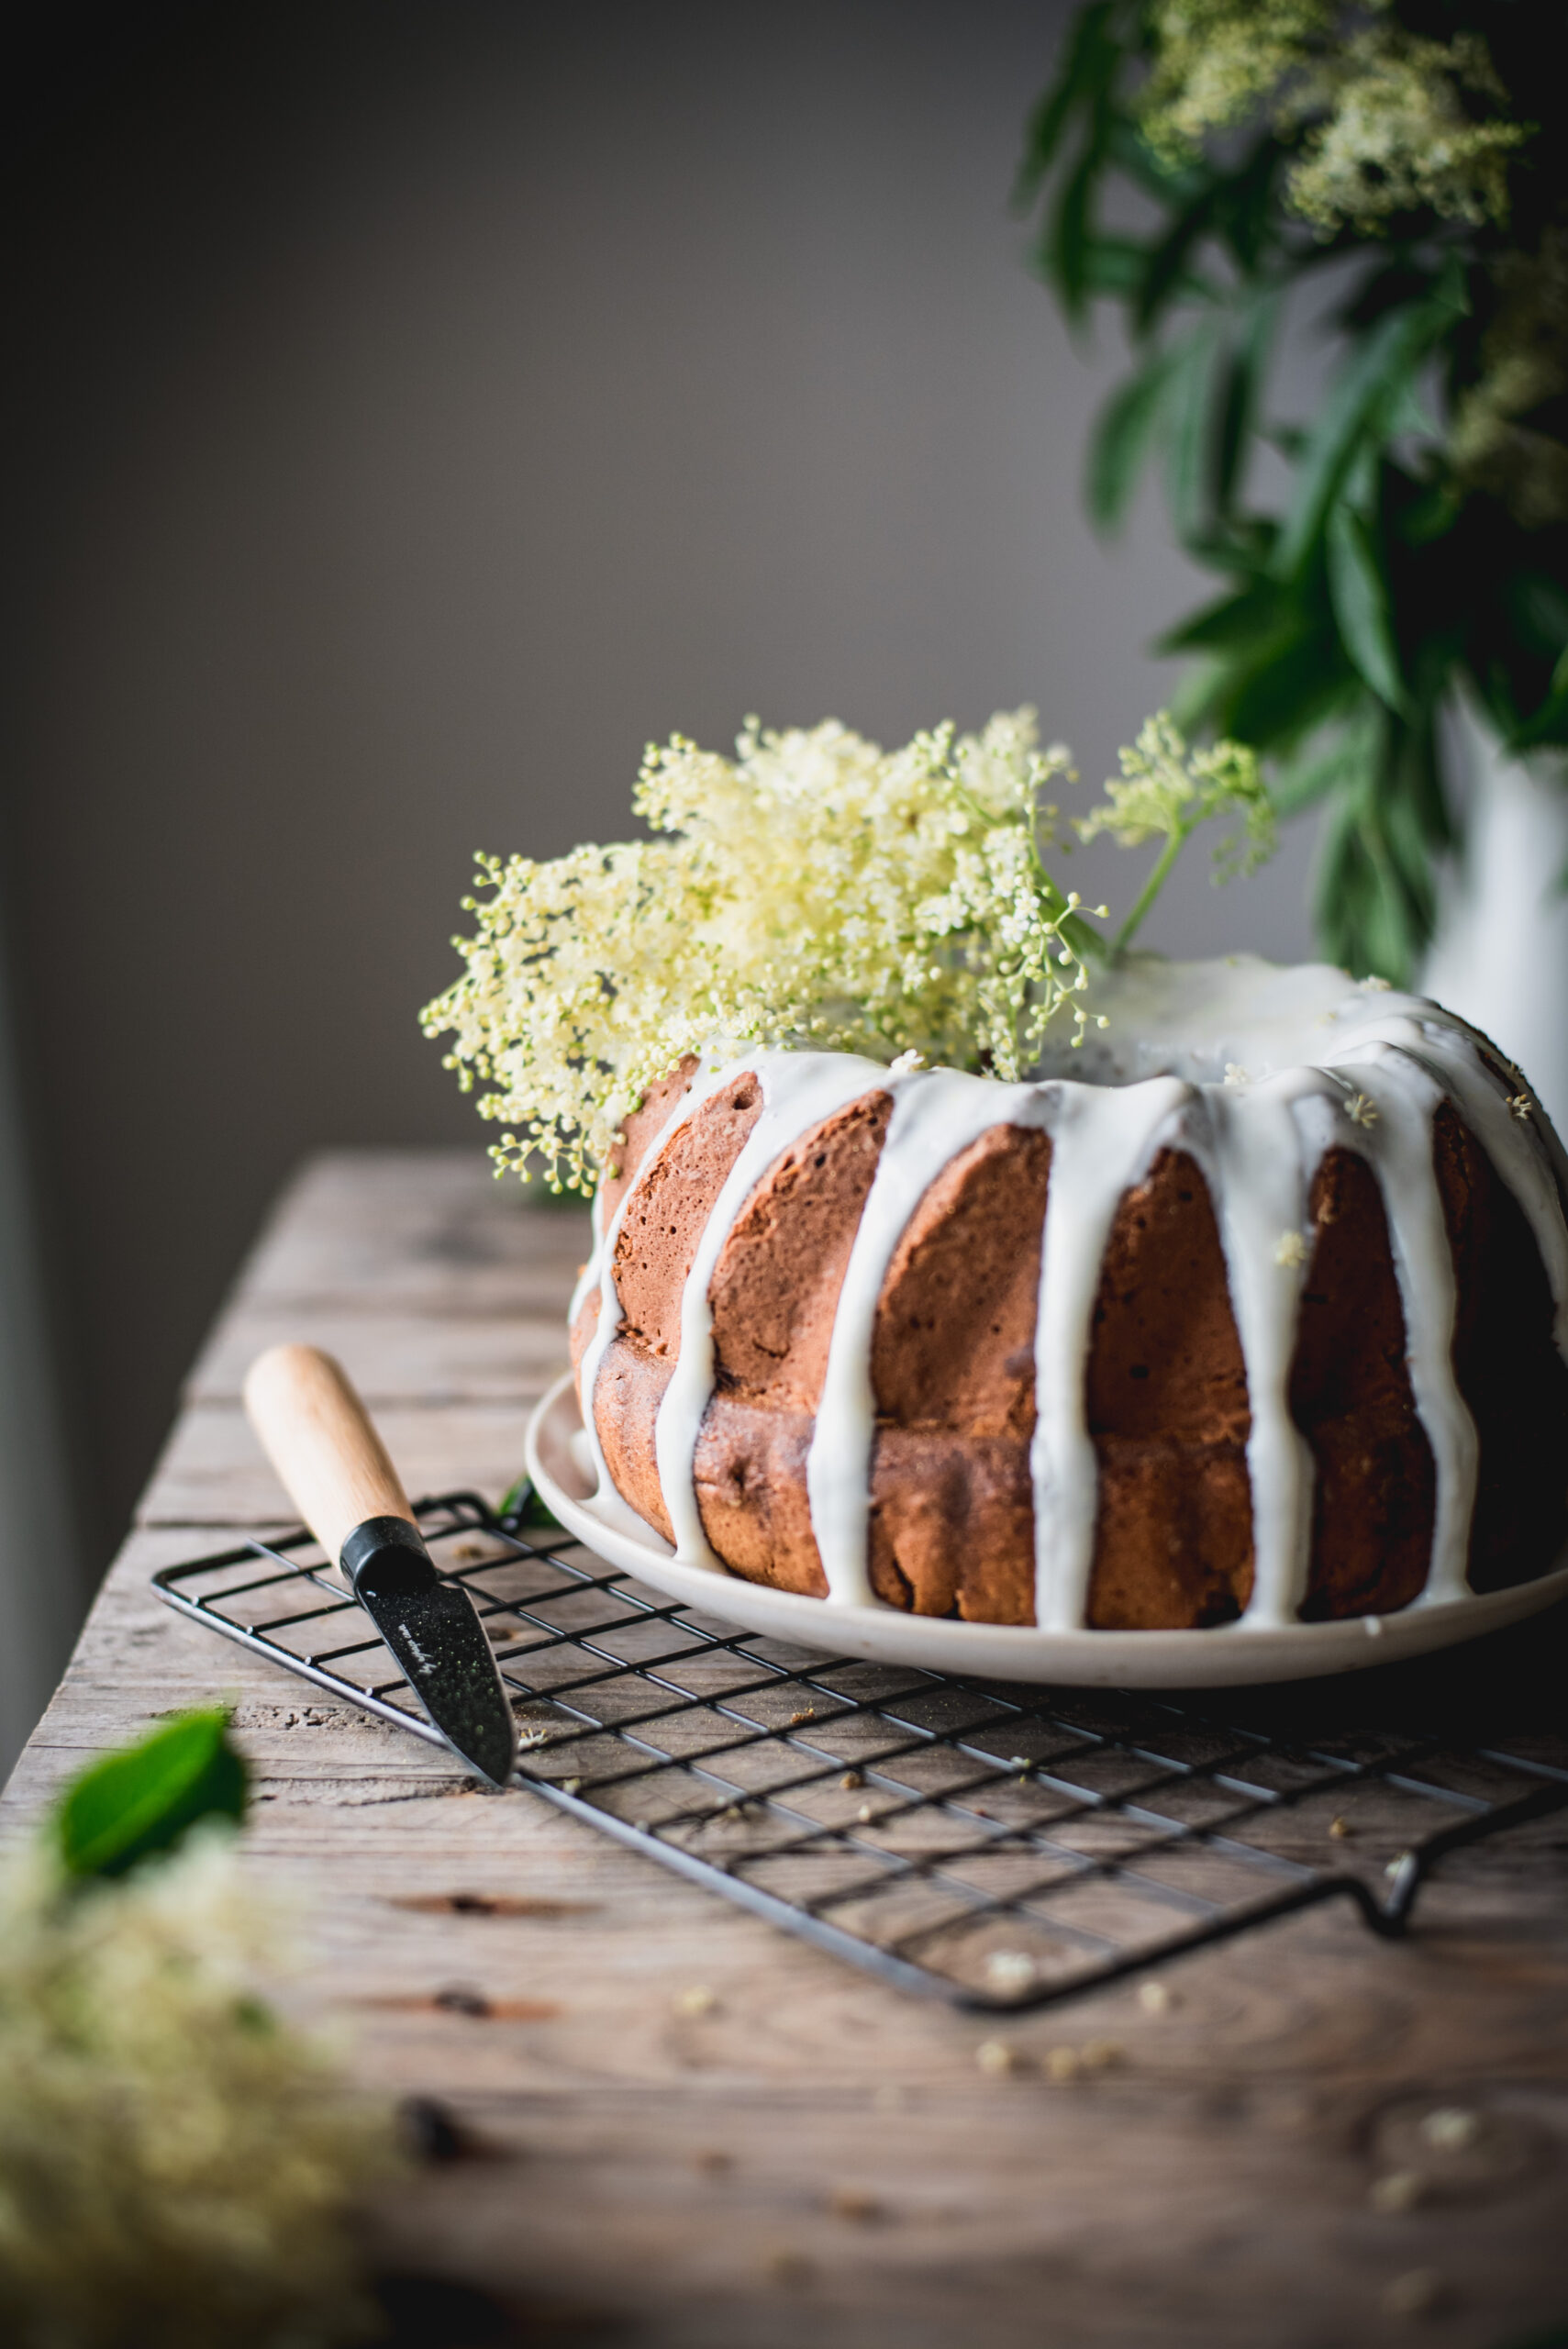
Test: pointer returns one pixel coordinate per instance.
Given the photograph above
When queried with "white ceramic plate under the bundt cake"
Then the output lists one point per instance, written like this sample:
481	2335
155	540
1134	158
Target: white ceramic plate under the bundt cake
1102	1660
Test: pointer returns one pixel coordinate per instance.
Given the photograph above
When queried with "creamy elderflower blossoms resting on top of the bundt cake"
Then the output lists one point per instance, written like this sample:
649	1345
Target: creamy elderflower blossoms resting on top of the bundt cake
811	894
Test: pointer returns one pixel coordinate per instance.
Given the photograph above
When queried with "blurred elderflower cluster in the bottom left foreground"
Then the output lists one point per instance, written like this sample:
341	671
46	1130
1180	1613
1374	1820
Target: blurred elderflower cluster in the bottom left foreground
175	2165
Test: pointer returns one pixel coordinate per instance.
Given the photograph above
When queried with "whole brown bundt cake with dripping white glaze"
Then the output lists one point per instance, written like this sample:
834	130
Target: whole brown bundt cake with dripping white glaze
1259	1314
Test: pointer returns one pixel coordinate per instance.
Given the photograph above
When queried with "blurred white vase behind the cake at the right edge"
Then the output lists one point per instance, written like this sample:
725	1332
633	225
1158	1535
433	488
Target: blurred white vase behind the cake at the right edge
1501	948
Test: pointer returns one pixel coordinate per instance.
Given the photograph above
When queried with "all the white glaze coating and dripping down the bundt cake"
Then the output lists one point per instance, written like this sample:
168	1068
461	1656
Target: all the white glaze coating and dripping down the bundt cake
1330	1068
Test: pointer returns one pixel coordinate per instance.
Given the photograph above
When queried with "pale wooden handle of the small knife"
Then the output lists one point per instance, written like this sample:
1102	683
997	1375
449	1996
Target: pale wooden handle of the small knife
318	1434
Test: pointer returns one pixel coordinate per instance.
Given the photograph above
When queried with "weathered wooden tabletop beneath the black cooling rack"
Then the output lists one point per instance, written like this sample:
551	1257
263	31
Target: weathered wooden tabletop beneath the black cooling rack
811	2158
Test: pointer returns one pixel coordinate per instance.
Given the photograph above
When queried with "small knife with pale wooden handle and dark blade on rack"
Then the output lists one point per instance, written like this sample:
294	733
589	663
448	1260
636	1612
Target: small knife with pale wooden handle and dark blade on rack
318	1434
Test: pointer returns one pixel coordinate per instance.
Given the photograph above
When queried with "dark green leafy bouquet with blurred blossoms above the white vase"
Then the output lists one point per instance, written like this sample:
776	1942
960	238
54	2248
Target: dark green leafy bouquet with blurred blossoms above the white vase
1426	163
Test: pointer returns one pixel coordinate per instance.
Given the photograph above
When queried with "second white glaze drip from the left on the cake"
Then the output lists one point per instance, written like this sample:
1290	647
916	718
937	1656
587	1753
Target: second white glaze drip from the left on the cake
799	1091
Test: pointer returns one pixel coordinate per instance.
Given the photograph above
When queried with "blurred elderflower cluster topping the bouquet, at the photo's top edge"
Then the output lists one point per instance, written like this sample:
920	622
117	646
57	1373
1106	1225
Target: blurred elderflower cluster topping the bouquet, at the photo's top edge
1393	121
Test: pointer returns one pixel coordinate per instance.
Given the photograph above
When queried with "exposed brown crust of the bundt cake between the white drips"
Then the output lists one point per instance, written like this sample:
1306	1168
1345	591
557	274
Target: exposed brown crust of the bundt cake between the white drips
1168	1411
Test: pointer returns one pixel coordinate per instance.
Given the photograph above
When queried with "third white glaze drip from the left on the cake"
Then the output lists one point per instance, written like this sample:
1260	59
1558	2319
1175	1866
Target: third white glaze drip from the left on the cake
935	1117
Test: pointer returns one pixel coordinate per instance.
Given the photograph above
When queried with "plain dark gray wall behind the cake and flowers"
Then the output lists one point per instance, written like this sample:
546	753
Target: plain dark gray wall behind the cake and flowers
412	412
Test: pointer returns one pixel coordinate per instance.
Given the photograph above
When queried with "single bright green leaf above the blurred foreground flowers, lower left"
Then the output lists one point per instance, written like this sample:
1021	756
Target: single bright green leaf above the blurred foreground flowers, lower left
144	1798
